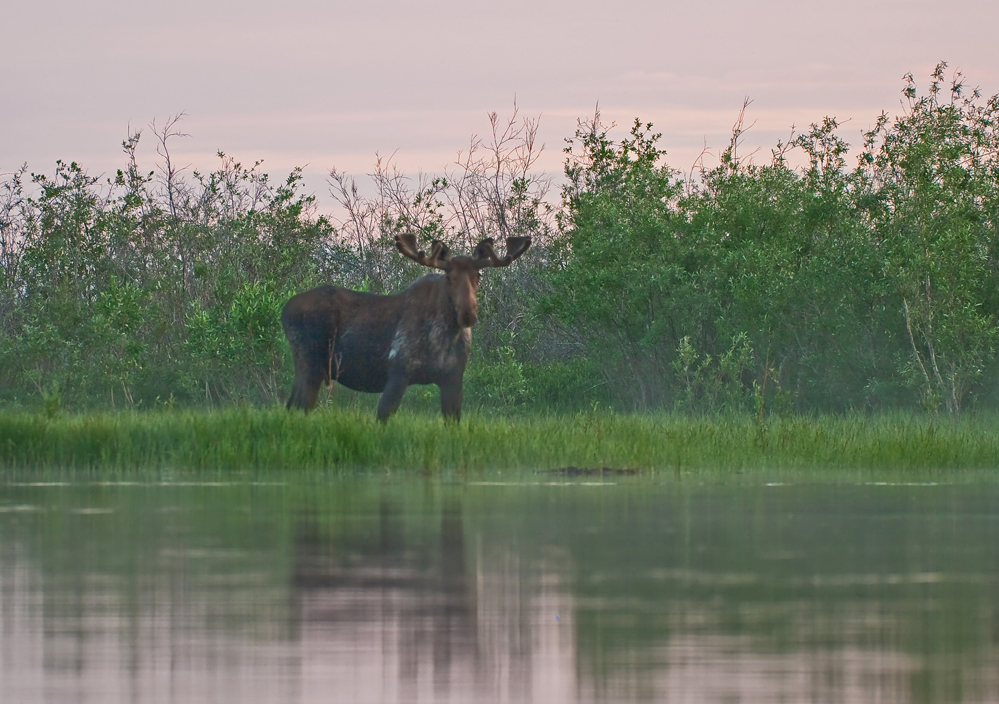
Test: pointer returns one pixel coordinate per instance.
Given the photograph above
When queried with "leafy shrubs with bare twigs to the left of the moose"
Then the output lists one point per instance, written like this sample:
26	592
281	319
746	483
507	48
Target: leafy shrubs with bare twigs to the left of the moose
123	294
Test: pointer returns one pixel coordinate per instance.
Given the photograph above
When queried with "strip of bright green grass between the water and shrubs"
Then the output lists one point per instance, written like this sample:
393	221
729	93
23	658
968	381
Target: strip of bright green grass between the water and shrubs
241	439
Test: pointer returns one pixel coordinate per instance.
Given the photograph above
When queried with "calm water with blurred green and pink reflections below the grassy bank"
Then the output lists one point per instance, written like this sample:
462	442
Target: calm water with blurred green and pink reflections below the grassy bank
614	589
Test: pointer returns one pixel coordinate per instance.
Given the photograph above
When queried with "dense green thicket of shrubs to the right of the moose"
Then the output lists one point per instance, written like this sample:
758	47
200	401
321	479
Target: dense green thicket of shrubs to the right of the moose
849	288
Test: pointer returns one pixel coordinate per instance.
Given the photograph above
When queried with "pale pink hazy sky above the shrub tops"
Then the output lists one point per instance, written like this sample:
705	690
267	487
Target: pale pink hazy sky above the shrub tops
324	84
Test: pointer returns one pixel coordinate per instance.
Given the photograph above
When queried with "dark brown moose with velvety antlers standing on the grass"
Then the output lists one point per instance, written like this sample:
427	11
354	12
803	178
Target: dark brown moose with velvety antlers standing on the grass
383	344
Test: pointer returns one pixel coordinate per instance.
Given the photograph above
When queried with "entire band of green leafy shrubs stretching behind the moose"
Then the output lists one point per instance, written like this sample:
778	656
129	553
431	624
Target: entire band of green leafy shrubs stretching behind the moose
745	287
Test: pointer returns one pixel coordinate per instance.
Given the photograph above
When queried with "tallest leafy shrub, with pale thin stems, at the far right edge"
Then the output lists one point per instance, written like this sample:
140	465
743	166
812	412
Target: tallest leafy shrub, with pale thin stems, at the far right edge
933	174
